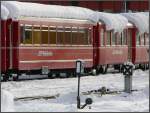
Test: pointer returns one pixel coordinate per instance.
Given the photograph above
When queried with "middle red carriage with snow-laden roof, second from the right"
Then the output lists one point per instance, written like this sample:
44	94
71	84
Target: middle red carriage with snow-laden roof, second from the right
110	41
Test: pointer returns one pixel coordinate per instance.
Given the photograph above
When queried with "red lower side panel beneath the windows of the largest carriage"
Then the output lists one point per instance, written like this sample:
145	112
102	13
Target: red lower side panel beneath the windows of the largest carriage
55	54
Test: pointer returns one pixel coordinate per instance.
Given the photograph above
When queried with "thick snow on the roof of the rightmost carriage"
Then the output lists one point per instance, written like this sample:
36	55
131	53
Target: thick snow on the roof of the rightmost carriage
140	20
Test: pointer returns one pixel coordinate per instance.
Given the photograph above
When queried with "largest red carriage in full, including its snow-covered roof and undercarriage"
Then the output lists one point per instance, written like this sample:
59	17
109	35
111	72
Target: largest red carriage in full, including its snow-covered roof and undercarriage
39	44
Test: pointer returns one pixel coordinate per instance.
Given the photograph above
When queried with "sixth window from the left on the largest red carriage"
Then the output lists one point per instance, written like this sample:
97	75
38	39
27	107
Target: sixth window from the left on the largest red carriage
67	35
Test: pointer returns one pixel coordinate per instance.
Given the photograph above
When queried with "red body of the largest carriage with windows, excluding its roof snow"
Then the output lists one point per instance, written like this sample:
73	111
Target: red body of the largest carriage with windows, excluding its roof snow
52	45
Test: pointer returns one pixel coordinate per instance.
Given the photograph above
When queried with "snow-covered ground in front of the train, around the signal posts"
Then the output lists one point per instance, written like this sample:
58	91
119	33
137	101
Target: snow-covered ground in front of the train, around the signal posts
67	90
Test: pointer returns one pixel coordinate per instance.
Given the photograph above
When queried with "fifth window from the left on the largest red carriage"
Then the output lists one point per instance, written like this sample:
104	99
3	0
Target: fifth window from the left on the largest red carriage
60	35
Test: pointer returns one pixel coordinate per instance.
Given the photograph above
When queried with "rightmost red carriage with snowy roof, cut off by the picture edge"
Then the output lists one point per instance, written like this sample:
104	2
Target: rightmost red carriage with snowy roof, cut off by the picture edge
139	38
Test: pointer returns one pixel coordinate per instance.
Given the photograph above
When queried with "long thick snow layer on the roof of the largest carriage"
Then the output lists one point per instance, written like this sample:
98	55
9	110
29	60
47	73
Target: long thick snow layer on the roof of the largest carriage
18	9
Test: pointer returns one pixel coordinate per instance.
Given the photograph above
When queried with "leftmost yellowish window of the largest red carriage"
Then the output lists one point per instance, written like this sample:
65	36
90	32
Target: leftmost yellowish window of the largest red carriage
28	35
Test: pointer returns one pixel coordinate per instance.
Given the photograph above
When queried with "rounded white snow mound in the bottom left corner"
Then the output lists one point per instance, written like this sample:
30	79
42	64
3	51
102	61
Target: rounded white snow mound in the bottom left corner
7	101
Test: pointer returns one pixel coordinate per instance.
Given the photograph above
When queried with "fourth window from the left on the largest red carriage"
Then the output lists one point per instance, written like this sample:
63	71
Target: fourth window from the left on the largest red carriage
52	35
